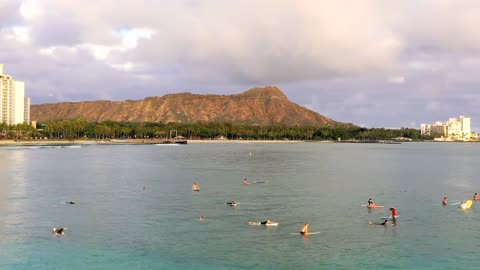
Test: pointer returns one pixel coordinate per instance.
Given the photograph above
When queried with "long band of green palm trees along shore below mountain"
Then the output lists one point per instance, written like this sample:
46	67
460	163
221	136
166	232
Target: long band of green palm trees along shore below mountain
75	129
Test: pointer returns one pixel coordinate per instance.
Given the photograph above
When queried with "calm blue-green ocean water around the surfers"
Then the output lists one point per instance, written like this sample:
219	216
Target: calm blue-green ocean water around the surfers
136	209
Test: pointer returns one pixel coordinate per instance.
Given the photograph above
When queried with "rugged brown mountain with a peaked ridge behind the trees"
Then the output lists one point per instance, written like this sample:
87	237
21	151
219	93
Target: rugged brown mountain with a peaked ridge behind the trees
260	106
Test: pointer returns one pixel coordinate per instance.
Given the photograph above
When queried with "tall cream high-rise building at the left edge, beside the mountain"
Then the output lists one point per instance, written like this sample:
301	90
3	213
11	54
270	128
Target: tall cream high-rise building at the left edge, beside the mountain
14	108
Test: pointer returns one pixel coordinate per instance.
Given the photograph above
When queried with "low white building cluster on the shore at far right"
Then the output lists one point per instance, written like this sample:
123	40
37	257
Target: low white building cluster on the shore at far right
453	129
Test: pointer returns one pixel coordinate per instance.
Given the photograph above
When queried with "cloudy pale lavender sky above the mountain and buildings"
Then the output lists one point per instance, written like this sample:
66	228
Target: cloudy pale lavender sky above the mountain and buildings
374	63
